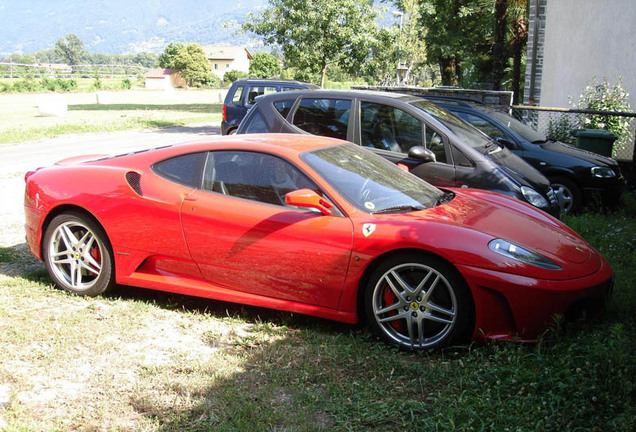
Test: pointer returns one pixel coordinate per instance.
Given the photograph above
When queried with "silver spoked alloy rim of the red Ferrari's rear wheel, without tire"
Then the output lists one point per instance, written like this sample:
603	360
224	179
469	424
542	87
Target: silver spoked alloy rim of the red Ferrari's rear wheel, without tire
75	255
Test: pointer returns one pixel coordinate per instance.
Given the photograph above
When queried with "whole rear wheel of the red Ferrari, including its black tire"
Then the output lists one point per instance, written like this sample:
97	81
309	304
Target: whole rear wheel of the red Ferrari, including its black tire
78	255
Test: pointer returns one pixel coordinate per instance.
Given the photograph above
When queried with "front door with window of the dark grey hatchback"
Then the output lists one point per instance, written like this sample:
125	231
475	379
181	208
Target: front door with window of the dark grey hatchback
391	132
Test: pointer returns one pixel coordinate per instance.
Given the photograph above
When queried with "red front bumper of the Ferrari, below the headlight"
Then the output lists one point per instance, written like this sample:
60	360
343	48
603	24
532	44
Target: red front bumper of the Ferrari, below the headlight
509	306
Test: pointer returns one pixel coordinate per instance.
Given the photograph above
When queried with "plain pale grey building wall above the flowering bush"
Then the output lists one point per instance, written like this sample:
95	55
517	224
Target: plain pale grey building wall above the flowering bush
585	39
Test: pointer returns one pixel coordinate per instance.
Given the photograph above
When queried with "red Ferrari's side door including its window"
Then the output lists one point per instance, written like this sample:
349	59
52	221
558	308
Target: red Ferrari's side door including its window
244	238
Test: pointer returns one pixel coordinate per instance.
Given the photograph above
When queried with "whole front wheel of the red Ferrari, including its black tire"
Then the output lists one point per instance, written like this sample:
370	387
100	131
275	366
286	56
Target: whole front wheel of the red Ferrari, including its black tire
418	302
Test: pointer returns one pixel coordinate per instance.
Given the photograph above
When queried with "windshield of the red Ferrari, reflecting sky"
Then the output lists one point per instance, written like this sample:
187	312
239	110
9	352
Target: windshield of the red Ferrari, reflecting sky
371	183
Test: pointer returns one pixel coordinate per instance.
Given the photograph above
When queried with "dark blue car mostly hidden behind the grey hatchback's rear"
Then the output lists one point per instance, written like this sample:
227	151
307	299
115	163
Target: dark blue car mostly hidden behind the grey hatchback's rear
240	98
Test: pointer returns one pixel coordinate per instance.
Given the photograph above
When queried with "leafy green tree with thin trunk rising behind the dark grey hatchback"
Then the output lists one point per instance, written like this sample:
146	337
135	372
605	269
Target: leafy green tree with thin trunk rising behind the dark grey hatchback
314	34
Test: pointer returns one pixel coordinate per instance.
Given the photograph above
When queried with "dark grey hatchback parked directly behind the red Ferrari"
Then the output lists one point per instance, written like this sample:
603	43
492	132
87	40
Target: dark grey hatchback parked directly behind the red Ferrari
433	143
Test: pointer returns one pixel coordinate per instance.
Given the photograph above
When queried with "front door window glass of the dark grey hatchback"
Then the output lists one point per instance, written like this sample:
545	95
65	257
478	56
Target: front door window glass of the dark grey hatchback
388	128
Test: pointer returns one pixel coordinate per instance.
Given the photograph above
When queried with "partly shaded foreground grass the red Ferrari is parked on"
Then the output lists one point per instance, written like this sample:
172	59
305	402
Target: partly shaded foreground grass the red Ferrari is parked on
139	360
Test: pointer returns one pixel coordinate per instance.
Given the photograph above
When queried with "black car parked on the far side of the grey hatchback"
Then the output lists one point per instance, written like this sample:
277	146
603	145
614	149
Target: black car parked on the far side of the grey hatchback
578	177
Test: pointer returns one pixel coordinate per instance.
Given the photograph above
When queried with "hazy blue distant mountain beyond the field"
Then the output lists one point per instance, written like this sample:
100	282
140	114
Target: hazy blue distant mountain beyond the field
122	26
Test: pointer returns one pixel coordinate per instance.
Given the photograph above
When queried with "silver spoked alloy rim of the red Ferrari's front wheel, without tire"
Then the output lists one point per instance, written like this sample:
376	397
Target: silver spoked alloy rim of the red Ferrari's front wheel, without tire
414	305
